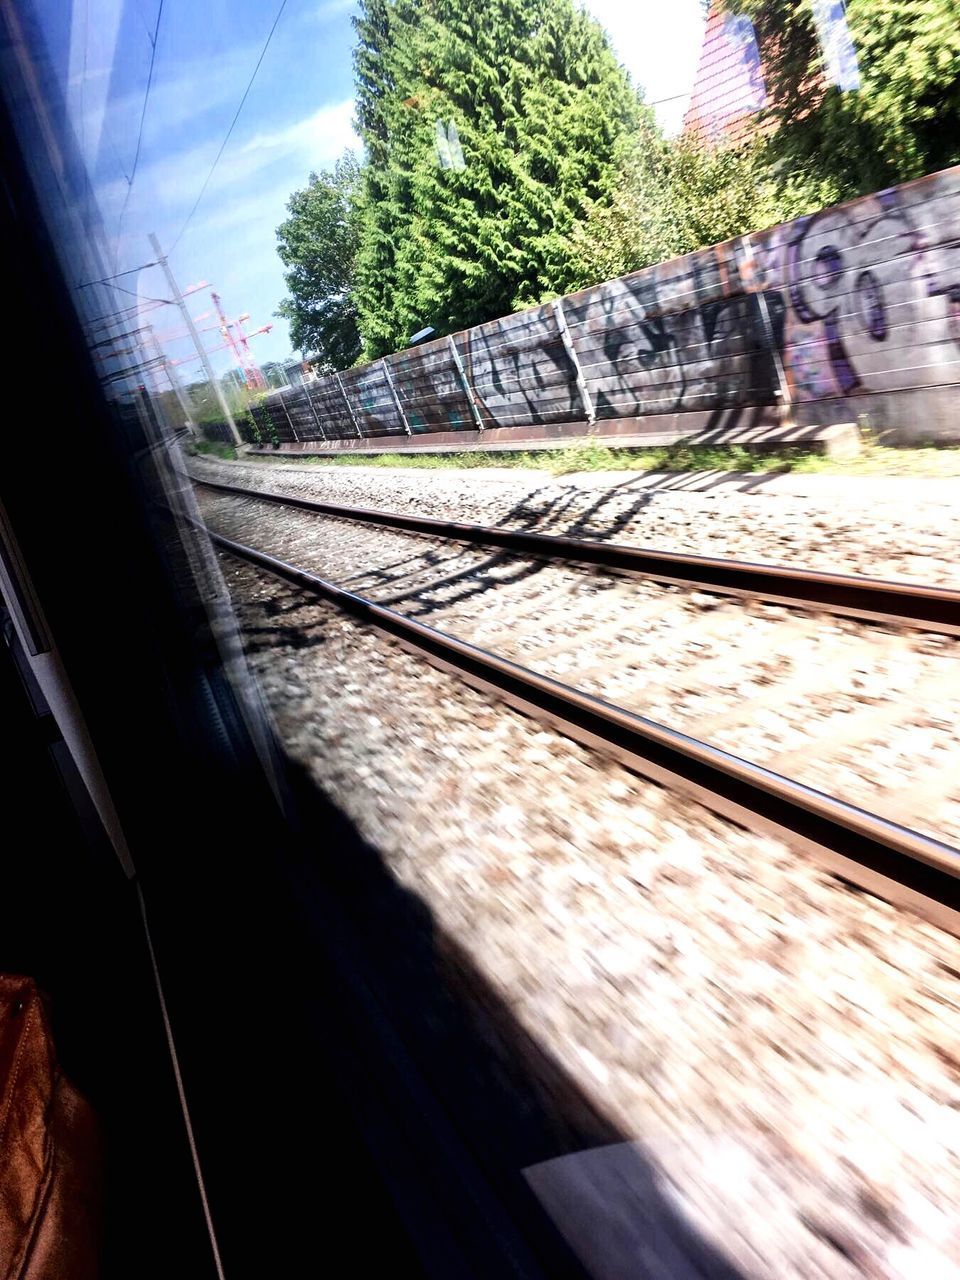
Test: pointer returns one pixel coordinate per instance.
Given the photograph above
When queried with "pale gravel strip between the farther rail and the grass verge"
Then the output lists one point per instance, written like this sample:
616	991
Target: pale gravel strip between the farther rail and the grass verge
883	527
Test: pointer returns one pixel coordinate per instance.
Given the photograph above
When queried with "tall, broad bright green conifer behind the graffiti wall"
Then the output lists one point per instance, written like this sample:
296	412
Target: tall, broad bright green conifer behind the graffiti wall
531	94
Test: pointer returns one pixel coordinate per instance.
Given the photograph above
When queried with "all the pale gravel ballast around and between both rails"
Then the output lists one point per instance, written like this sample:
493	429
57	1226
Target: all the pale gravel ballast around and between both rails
785	1050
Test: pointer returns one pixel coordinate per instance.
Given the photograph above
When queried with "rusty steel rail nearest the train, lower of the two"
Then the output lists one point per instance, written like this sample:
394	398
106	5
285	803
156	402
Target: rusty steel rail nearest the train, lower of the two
894	862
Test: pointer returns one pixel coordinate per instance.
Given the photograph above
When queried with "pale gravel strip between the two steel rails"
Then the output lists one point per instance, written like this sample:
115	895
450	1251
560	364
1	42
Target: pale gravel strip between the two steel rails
866	712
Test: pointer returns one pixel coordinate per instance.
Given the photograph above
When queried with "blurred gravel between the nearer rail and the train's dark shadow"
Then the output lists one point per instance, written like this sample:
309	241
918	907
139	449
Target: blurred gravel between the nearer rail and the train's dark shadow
787	1050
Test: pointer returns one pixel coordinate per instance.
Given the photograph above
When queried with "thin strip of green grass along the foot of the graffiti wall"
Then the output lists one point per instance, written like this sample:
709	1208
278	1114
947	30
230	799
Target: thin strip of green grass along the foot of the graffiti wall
592	455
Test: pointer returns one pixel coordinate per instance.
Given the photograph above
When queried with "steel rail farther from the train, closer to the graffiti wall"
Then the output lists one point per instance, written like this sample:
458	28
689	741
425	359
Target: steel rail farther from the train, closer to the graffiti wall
931	609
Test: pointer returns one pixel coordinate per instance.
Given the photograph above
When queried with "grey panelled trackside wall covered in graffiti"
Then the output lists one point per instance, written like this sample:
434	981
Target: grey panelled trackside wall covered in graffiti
856	300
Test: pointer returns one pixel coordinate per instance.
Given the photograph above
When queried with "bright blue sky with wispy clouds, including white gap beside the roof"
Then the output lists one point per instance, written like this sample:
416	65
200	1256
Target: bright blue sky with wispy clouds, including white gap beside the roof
298	118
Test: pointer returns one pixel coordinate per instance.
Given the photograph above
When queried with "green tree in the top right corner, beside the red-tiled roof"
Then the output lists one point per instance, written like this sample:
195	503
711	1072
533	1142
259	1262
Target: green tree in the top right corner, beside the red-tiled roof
903	122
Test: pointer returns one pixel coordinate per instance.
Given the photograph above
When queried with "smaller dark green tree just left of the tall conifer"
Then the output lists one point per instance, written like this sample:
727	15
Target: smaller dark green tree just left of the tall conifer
318	245
